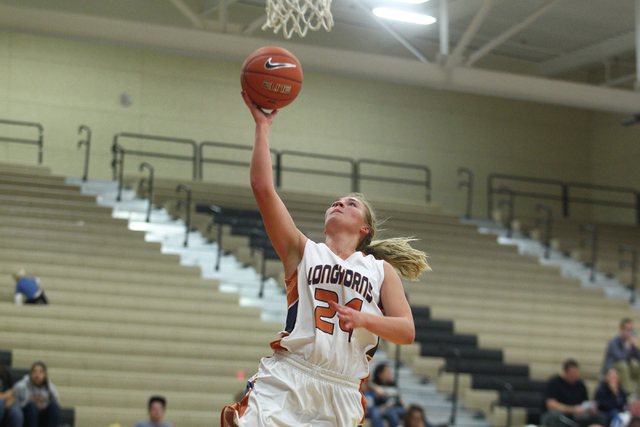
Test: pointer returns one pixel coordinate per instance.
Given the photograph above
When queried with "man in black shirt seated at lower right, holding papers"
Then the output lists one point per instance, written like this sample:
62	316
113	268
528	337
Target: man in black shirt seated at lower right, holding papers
565	398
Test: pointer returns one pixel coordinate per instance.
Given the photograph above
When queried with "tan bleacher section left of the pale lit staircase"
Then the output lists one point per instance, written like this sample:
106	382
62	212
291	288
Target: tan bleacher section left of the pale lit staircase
124	321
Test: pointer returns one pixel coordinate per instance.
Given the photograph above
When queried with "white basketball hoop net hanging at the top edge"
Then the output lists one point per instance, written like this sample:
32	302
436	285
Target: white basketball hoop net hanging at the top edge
298	16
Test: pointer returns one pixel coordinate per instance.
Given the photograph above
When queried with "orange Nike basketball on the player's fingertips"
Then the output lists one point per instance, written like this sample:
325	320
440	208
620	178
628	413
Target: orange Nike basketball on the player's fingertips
272	77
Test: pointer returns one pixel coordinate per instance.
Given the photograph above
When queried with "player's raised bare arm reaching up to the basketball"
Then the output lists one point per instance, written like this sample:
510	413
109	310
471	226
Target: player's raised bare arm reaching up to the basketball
286	239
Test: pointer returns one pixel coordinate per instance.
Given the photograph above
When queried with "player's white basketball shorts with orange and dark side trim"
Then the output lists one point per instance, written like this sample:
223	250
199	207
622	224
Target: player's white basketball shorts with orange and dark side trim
289	391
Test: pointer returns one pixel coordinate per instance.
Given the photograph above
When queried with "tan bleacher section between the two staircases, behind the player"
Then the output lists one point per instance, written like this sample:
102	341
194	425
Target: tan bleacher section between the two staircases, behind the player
514	319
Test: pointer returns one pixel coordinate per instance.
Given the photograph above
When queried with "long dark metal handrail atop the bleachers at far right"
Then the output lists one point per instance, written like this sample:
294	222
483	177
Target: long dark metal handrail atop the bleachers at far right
564	196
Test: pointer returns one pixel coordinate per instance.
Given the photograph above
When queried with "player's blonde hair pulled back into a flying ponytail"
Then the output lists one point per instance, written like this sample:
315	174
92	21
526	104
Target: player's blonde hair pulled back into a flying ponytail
396	251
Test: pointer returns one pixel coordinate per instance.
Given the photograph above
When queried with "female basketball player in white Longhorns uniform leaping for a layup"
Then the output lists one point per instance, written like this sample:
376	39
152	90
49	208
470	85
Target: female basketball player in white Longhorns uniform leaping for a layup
336	294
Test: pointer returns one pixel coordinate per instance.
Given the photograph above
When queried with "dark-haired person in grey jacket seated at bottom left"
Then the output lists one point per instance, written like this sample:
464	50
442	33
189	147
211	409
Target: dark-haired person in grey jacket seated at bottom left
38	398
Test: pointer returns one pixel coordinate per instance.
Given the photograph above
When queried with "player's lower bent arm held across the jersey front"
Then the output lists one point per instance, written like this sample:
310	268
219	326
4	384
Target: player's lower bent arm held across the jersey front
397	326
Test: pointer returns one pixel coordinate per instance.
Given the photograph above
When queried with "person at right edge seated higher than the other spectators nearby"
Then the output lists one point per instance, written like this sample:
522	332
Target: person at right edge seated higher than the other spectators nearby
622	354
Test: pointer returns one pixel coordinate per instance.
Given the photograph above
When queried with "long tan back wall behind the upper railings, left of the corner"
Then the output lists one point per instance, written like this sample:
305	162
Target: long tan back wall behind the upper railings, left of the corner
64	83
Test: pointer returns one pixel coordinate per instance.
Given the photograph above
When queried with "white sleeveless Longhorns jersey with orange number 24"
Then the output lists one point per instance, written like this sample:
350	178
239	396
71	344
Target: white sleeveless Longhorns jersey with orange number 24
313	330
